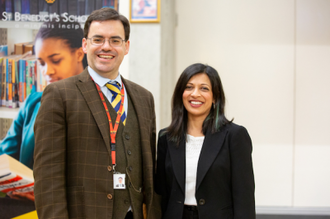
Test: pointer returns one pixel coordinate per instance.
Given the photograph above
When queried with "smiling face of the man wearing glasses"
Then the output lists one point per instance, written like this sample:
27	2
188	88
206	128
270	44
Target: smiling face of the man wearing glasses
106	59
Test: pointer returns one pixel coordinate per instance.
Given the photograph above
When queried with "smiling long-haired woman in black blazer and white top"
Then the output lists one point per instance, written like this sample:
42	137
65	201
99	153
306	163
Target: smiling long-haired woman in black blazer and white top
204	165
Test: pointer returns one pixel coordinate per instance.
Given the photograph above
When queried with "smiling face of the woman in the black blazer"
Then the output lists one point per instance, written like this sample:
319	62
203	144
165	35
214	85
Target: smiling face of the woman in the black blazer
198	97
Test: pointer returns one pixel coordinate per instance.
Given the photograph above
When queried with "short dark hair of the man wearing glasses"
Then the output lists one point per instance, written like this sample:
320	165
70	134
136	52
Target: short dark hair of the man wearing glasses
106	14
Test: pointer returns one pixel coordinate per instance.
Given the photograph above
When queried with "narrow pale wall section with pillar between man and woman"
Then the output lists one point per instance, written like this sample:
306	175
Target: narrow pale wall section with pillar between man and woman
150	61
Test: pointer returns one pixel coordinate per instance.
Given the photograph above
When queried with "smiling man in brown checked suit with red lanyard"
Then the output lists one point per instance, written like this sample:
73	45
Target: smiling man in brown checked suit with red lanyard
76	158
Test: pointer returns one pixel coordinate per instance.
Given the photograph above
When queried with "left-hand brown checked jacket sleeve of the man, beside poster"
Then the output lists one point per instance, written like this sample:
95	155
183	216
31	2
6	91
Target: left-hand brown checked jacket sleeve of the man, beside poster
50	156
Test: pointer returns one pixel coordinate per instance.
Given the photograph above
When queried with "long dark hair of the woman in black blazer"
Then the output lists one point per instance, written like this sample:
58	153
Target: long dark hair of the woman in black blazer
216	118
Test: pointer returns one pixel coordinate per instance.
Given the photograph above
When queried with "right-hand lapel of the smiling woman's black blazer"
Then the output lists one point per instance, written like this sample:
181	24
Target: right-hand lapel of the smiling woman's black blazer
210	150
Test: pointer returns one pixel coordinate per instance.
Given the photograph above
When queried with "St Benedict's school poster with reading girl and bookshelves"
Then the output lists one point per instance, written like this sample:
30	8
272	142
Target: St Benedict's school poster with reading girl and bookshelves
23	76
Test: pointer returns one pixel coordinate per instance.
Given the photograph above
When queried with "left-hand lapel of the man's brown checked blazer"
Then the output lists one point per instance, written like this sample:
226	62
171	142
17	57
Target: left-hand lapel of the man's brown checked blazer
89	91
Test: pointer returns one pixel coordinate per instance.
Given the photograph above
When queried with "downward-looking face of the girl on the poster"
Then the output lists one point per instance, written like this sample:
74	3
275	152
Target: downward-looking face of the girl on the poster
57	60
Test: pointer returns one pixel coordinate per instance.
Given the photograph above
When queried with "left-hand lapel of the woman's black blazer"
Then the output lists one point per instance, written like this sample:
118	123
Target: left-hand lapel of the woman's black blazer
178	161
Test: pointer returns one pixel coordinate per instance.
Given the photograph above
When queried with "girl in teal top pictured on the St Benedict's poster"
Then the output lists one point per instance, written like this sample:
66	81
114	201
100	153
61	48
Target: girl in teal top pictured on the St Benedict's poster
60	55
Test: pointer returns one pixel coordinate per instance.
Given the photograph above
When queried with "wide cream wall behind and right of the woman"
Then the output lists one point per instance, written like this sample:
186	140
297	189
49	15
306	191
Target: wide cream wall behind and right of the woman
273	59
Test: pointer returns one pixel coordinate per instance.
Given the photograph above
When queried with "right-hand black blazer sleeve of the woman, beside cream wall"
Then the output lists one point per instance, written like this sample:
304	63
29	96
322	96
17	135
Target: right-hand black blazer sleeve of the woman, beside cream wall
242	174
